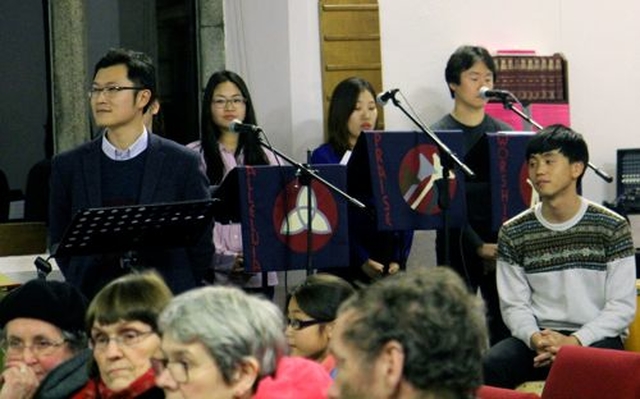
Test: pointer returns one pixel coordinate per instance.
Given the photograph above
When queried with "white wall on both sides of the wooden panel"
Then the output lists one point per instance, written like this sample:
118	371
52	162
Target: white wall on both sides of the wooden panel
600	41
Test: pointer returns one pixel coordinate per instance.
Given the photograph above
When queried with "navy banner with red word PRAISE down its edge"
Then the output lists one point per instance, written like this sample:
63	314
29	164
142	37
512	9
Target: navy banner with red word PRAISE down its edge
399	175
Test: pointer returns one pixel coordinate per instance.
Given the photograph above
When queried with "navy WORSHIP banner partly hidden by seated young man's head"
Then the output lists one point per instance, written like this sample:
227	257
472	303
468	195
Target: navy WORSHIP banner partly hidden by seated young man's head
511	192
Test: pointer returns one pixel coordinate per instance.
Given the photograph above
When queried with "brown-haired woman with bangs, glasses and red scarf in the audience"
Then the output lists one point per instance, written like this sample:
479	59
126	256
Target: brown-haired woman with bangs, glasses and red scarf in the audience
121	320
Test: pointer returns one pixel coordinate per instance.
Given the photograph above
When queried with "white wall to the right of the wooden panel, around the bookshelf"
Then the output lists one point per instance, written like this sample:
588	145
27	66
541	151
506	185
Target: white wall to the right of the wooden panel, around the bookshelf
598	39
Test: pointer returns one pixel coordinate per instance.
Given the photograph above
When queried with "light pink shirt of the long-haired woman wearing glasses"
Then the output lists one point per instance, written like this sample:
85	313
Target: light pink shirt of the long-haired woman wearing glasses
227	238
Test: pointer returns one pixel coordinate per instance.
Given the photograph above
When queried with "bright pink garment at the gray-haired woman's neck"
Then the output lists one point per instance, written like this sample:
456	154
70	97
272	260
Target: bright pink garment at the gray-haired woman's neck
295	378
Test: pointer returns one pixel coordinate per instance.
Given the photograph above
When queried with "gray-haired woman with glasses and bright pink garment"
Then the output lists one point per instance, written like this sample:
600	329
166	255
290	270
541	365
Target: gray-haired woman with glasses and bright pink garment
220	342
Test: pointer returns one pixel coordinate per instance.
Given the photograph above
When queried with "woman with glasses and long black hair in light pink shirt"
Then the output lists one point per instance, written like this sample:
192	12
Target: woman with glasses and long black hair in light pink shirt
226	98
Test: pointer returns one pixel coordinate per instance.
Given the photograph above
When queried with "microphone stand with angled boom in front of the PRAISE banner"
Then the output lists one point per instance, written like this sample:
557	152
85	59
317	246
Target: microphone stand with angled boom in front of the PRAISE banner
448	159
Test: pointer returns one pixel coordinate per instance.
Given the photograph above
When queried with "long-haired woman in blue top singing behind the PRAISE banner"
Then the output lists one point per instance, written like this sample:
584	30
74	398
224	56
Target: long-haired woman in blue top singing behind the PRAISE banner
372	253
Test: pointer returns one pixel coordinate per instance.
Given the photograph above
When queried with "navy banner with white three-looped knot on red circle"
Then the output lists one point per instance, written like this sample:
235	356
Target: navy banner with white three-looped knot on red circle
279	213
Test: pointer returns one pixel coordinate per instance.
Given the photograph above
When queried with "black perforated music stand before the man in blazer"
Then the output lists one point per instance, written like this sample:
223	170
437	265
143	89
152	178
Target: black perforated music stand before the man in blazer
123	230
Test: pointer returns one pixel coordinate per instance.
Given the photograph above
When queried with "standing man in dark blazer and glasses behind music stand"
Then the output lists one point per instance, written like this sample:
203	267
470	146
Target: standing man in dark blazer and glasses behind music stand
126	165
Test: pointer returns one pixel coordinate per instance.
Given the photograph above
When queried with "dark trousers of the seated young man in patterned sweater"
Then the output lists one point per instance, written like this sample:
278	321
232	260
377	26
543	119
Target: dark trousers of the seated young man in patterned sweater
509	363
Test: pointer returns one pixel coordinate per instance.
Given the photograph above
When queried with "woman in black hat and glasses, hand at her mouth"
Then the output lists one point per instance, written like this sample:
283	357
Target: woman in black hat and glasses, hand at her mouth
42	327
